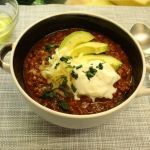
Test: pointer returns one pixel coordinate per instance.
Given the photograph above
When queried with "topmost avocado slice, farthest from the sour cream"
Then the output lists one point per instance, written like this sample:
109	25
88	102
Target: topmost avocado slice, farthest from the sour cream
74	39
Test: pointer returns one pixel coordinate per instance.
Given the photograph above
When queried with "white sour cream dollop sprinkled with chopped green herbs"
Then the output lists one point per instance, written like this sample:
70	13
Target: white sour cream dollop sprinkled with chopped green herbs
100	85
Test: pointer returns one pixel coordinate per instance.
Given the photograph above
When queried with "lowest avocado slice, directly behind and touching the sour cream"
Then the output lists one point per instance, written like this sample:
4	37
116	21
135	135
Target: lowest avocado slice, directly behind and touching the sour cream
115	63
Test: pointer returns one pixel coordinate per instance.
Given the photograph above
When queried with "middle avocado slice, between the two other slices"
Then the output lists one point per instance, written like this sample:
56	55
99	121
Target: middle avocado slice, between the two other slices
89	48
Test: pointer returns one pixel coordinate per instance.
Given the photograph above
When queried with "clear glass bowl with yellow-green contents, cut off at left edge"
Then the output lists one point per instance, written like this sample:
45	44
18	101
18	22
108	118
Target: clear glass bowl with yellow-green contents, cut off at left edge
8	18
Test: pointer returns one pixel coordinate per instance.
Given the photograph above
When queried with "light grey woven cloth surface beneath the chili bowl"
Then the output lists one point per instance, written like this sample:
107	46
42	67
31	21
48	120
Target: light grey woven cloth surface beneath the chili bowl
21	129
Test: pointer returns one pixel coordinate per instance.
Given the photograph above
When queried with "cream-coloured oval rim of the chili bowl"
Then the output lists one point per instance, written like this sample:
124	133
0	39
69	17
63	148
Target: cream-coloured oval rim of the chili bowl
74	116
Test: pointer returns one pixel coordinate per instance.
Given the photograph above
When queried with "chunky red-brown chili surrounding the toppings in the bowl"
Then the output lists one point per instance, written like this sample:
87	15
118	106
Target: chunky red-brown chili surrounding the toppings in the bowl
62	99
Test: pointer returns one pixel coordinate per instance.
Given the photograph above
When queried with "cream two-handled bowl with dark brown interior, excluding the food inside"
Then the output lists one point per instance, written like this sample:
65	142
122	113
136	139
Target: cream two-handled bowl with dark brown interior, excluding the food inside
84	20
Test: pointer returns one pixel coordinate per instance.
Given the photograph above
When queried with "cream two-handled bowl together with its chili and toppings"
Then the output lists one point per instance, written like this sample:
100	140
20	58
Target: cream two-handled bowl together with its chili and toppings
57	103
